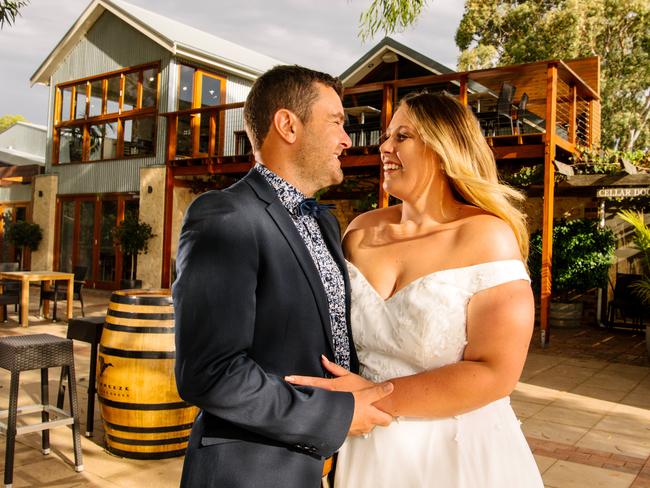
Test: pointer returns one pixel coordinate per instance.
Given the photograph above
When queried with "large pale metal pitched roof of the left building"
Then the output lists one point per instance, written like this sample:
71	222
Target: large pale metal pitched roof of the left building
178	38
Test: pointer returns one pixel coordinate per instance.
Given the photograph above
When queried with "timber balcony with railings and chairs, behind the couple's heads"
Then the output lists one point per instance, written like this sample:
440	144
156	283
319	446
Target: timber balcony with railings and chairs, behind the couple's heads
522	110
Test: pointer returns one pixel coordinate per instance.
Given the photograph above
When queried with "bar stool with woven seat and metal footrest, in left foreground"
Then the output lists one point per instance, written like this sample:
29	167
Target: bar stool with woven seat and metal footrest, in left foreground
38	351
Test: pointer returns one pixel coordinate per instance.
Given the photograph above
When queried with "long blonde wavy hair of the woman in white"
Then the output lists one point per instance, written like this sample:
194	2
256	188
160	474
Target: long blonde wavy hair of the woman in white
452	132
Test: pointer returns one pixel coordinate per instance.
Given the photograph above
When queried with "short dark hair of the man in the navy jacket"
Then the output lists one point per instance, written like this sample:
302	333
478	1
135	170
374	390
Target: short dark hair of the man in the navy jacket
283	87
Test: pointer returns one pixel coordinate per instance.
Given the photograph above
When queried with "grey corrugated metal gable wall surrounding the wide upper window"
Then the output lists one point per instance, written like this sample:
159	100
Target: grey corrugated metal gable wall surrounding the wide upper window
110	45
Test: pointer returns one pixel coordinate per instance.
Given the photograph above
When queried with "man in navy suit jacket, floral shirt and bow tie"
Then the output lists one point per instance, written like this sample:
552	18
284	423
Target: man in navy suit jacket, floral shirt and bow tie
262	292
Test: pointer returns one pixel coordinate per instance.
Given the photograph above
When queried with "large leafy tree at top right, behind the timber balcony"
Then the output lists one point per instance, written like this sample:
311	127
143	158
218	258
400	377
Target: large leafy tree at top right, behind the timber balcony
504	32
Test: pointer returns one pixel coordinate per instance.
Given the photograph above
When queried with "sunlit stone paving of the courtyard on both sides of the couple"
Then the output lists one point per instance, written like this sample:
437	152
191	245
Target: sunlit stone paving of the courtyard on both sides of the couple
584	403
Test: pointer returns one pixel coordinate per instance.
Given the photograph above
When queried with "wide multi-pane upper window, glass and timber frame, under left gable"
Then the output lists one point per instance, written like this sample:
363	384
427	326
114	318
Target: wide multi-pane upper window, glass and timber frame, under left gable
107	117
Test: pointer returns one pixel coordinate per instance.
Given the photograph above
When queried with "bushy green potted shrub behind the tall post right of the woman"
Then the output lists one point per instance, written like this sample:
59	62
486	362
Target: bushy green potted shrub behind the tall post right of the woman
582	255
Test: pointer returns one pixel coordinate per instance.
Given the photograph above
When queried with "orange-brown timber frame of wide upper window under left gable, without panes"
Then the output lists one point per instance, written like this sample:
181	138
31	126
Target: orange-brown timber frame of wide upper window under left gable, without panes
119	117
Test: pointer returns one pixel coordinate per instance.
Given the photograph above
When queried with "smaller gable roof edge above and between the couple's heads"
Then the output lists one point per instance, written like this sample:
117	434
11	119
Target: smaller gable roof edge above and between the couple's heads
372	58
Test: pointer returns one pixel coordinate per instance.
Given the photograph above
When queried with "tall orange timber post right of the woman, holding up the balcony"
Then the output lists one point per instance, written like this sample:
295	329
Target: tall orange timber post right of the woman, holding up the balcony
549	187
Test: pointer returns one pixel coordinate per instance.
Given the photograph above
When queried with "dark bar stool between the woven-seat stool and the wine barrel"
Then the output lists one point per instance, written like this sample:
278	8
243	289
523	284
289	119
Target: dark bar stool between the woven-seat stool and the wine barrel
89	330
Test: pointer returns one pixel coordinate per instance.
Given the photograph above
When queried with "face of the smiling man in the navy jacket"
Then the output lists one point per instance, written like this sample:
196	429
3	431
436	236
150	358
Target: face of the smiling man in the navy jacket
322	141
